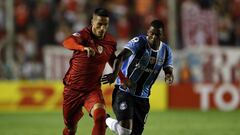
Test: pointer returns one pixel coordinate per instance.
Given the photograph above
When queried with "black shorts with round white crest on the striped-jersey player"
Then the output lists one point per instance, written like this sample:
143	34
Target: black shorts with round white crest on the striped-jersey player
126	106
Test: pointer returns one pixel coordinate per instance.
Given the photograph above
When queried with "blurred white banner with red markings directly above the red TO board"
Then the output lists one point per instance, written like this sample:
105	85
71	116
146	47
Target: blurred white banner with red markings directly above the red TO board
208	66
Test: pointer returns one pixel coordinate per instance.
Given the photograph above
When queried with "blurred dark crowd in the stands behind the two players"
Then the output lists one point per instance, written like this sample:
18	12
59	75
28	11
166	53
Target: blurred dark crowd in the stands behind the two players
39	23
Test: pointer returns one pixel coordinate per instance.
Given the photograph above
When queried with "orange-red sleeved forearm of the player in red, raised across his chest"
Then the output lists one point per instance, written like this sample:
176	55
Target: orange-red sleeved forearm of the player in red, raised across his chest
71	44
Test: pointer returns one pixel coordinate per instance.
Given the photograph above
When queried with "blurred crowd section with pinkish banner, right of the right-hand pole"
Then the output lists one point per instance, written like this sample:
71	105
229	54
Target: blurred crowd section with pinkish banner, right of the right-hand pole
209	22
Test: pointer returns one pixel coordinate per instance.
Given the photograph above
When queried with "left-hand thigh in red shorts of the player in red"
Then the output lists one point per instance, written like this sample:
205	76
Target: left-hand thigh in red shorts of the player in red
72	106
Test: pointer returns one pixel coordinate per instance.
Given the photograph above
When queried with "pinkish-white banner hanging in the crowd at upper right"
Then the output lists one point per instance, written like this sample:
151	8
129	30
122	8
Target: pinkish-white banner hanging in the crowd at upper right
198	25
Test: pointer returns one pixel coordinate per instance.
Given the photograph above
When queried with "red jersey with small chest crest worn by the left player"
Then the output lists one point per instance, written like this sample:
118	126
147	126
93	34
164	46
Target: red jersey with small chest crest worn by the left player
85	72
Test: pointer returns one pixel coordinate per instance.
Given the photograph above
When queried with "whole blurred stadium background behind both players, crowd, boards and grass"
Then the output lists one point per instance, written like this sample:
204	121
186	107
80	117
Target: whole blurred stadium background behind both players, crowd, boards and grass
204	35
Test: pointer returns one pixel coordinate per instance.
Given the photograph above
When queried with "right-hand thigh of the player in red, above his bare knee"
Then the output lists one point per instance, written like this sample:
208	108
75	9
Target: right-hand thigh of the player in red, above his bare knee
94	100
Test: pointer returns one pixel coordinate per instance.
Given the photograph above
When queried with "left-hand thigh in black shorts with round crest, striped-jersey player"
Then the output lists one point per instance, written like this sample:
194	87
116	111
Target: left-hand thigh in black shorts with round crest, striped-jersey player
122	105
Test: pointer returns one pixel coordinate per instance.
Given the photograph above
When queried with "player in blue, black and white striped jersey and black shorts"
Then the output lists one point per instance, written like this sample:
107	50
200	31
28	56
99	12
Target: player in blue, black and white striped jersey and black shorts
141	62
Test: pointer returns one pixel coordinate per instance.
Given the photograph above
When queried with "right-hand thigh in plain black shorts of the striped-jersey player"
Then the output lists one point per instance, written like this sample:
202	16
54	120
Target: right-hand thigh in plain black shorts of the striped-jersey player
140	115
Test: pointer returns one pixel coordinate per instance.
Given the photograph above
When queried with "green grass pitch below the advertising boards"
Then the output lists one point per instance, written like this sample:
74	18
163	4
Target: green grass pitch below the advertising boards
178	122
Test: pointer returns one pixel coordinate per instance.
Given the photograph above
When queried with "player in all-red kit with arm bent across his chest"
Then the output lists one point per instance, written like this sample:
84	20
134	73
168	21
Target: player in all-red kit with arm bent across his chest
92	48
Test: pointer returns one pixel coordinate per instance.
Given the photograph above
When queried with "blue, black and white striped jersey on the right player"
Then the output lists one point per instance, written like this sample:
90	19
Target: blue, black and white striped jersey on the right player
144	65
